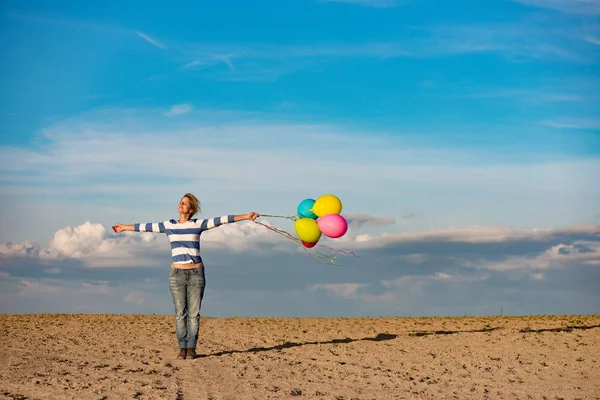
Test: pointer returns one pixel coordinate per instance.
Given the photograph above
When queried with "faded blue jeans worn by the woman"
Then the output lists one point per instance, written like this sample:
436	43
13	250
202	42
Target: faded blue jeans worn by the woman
187	288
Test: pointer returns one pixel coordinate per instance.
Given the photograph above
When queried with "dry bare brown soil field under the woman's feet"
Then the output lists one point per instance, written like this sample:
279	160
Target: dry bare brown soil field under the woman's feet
134	357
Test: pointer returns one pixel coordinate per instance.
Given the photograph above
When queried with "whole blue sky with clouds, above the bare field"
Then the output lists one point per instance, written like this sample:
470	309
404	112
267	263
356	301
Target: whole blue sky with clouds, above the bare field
463	139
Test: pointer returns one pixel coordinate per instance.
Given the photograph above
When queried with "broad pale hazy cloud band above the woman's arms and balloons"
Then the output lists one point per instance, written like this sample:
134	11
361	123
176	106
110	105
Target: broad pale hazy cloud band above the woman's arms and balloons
97	156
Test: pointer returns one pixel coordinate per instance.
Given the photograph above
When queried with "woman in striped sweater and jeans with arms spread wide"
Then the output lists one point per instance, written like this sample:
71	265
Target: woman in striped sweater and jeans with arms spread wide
186	280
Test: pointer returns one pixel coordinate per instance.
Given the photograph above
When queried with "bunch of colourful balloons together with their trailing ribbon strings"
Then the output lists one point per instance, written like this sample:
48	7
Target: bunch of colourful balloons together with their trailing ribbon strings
315	218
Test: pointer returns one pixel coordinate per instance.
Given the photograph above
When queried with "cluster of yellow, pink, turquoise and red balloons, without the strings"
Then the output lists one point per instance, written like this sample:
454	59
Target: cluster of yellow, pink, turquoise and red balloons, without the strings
320	217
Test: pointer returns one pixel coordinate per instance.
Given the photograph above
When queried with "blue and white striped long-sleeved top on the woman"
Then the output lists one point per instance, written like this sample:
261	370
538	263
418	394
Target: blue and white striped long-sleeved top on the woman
184	238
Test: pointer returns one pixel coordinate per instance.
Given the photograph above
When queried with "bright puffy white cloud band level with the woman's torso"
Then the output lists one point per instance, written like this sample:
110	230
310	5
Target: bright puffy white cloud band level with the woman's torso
94	246
